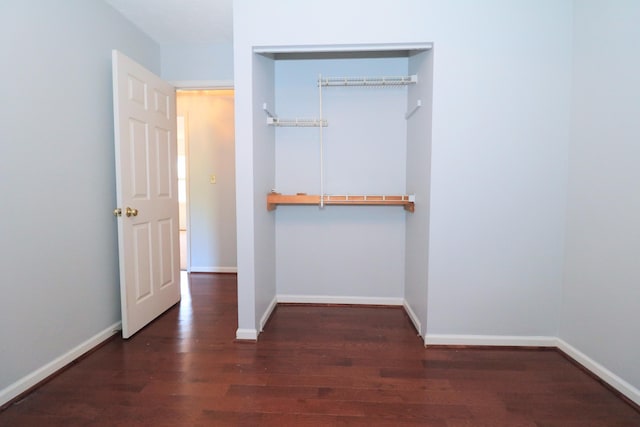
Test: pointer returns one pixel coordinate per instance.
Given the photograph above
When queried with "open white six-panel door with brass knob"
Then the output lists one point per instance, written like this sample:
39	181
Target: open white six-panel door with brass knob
147	193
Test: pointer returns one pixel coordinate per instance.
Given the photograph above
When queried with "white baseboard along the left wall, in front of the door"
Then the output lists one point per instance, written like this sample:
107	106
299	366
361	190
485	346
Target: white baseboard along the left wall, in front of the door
42	373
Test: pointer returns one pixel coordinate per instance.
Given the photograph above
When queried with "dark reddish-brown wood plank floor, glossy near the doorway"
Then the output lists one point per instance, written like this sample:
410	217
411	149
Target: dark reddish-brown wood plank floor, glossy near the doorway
313	366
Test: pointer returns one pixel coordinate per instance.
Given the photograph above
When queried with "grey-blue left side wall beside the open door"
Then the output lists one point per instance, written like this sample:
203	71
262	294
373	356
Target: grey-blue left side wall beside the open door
59	255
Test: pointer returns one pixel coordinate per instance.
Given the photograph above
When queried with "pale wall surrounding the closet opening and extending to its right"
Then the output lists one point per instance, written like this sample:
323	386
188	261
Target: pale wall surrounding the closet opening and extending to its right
502	77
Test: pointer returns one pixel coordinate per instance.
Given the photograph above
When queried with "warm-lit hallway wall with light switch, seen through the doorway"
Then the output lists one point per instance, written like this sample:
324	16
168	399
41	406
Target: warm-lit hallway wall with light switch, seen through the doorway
212	215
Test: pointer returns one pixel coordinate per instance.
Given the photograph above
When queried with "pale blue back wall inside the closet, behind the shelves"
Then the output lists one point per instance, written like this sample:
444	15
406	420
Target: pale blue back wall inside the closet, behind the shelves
349	253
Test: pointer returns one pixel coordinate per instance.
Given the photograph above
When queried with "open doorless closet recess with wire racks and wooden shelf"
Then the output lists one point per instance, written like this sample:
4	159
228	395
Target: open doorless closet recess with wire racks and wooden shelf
350	129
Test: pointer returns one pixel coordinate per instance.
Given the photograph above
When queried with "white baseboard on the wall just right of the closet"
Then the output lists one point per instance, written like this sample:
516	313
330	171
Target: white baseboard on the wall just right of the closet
491	340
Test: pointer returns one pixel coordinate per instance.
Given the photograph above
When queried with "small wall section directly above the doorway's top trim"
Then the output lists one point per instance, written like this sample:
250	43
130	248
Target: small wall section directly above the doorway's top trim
197	62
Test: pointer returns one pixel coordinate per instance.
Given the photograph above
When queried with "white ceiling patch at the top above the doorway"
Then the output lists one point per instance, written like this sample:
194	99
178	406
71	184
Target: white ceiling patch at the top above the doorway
180	21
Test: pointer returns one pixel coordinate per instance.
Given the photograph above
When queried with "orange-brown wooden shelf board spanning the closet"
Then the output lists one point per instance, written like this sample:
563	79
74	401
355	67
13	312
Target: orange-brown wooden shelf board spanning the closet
275	199
